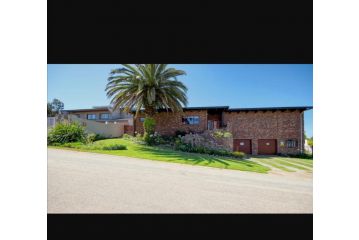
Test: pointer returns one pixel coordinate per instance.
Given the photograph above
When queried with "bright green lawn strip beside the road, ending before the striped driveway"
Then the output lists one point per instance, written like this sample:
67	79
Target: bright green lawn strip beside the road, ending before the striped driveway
168	155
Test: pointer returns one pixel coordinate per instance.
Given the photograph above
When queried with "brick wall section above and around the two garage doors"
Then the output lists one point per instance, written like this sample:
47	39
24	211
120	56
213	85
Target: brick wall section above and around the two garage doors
267	125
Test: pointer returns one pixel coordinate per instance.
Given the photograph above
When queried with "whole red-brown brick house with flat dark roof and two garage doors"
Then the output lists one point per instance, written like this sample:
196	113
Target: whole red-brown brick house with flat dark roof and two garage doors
267	131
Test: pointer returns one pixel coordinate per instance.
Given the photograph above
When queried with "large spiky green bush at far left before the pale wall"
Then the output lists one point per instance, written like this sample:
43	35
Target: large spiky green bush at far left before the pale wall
67	132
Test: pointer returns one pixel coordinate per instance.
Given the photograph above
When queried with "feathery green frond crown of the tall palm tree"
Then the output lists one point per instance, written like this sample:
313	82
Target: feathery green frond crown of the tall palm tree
146	86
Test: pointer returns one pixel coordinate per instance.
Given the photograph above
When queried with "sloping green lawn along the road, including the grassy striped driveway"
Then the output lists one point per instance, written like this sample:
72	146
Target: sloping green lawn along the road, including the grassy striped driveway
260	164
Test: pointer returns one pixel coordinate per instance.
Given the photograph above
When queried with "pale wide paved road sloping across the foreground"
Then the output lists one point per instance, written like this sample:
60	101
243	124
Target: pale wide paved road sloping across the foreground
81	182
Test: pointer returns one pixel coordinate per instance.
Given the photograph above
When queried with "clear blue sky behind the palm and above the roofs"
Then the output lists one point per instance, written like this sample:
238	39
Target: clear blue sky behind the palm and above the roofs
235	85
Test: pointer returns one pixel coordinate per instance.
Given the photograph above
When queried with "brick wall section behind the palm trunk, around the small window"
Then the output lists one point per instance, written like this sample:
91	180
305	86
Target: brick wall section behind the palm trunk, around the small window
167	123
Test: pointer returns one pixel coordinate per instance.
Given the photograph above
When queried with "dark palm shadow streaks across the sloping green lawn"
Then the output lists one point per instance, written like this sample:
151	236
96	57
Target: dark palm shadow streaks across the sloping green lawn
195	158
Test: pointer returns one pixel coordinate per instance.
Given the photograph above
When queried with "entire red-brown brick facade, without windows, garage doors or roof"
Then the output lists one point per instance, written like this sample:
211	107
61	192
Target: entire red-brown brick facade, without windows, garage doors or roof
278	125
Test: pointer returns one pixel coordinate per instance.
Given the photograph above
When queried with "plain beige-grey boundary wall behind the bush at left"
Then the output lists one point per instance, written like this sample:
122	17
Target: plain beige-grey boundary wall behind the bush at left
107	130
